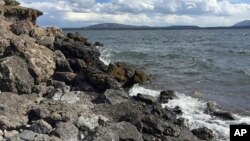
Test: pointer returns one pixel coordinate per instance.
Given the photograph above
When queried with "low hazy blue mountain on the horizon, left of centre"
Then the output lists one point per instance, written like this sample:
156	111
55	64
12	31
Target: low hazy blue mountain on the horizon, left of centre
114	26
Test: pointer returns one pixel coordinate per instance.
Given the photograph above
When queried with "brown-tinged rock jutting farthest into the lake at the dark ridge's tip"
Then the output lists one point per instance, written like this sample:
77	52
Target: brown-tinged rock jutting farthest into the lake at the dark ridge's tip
127	74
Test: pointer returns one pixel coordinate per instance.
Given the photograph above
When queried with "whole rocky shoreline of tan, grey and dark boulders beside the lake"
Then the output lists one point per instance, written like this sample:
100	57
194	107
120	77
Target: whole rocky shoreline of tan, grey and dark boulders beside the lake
54	87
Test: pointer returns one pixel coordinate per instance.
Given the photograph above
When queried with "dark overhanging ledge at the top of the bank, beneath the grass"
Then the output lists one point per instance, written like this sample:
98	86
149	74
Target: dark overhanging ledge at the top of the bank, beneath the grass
18	13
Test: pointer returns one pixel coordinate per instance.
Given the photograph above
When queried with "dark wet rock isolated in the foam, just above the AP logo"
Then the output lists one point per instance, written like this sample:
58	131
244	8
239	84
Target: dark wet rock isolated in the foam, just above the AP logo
213	110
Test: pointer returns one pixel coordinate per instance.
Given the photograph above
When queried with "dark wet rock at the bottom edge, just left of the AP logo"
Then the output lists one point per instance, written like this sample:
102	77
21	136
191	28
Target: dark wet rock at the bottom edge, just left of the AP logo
203	133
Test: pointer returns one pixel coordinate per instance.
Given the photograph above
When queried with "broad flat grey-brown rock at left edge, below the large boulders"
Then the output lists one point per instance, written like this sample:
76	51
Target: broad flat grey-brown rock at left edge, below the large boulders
13	109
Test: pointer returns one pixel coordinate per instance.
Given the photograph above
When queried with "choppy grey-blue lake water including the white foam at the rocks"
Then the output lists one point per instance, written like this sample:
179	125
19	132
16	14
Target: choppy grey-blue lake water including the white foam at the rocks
200	65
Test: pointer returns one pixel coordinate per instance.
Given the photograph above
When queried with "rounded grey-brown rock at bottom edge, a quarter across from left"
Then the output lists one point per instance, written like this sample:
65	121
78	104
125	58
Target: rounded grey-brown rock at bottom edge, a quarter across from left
67	132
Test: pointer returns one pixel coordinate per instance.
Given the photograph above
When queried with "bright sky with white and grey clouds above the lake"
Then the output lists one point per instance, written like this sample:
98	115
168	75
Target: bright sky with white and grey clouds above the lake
79	13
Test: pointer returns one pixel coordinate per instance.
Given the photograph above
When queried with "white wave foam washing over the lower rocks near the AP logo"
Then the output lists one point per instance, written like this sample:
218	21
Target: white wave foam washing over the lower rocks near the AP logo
193	113
